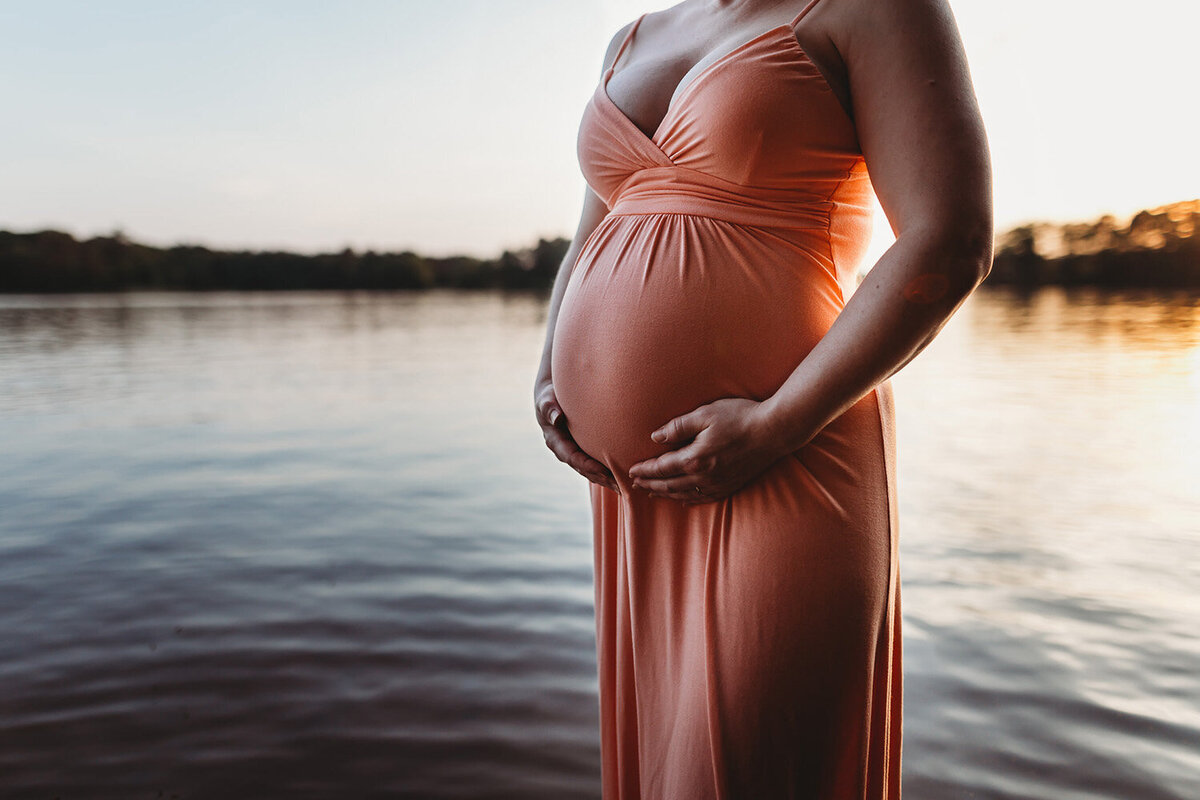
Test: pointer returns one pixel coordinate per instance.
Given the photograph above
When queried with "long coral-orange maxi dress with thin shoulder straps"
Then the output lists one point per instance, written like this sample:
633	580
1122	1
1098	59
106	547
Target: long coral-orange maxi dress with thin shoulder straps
749	649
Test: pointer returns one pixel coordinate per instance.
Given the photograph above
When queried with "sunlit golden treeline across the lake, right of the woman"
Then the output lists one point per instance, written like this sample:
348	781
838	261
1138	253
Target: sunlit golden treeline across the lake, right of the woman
1159	248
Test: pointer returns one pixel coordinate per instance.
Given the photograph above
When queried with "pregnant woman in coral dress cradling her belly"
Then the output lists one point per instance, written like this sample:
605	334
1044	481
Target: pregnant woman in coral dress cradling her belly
713	370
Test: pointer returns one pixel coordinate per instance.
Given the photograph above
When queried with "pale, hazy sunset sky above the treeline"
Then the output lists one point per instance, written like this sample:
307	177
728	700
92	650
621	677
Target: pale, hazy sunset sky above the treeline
451	128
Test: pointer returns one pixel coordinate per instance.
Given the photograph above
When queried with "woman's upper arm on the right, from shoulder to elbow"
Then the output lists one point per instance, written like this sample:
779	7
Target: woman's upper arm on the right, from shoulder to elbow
919	122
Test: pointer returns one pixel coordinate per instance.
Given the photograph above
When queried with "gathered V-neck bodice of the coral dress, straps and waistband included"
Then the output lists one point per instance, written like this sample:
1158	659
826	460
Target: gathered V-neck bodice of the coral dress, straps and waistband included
758	127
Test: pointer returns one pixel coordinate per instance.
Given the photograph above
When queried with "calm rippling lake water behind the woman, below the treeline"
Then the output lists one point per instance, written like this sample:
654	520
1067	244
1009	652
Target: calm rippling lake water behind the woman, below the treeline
313	546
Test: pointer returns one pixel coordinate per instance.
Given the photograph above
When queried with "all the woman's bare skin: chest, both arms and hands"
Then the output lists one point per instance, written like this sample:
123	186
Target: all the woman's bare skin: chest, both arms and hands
901	70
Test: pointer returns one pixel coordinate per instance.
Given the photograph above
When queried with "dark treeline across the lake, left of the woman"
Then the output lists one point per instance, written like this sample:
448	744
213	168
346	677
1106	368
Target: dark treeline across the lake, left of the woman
51	261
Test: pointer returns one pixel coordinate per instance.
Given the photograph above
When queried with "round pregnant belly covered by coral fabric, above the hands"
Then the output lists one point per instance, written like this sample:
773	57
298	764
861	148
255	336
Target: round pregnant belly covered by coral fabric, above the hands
668	312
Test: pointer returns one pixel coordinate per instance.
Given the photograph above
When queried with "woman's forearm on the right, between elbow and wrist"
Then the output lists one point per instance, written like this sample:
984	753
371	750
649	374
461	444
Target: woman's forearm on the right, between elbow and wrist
898	310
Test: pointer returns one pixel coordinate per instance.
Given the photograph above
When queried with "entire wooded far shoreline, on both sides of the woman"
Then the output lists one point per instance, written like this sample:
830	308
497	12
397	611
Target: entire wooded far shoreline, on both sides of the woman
1159	248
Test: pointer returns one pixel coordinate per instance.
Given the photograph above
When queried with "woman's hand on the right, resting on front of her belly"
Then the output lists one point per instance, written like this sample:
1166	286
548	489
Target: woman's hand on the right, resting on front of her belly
719	448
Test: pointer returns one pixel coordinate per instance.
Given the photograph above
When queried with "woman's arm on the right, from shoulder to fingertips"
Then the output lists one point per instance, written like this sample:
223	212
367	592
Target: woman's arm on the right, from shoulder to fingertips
927	153
